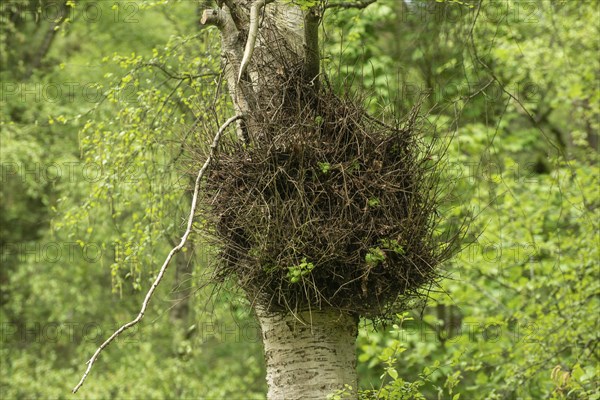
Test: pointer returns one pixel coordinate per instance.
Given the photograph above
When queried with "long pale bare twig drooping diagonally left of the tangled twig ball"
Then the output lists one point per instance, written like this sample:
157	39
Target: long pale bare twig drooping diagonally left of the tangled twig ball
173	251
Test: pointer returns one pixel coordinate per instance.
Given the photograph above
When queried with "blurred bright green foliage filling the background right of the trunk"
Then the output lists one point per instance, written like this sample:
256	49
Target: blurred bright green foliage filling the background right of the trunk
513	319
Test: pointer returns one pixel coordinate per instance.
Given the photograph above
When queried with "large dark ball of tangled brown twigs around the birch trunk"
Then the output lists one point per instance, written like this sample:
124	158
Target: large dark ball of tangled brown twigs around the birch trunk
326	207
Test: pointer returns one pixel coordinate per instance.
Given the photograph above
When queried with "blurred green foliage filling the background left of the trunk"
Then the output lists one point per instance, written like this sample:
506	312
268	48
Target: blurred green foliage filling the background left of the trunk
91	197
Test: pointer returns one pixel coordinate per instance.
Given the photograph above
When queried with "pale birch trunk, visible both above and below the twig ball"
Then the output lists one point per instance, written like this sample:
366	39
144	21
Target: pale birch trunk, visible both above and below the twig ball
308	354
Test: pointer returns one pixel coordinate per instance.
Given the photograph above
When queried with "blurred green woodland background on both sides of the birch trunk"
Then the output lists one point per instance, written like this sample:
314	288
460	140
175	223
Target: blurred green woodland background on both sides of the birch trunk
100	103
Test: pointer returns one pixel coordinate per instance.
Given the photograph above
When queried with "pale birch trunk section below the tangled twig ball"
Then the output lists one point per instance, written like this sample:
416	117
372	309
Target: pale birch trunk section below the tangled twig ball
308	355
